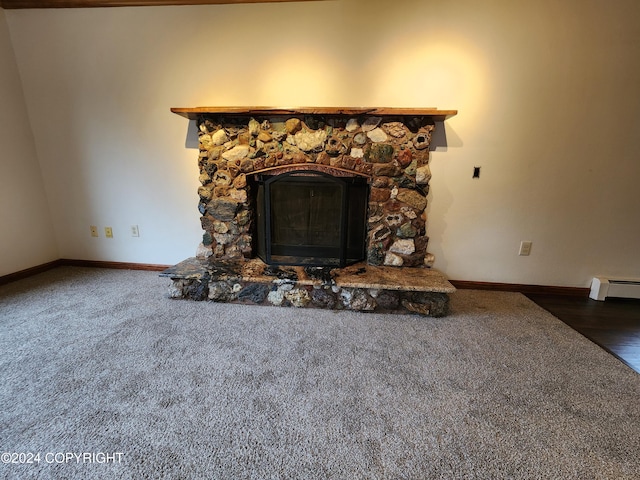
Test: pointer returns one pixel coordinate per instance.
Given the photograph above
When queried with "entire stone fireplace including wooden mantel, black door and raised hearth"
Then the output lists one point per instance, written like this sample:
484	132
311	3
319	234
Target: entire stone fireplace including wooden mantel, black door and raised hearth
313	200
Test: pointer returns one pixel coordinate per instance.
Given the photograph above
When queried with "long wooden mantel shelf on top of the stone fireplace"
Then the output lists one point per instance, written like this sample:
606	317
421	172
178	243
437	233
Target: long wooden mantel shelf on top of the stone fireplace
195	112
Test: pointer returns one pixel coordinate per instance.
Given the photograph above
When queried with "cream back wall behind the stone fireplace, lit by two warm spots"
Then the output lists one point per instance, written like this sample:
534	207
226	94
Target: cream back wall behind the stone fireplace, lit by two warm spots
547	94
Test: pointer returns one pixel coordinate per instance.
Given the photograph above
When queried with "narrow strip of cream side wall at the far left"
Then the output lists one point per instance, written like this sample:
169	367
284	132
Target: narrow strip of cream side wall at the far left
26	233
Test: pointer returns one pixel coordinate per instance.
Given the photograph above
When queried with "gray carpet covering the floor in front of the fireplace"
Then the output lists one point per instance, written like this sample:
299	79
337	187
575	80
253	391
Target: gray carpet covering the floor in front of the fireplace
101	362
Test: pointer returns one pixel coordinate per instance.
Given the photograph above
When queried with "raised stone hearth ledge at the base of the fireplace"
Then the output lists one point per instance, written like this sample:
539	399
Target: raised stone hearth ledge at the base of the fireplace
360	286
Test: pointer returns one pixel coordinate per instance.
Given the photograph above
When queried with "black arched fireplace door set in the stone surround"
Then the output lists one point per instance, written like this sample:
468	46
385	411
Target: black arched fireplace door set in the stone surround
311	218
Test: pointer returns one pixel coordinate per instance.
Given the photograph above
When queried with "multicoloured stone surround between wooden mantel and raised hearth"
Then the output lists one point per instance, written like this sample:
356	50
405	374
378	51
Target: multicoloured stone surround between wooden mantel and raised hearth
392	151
